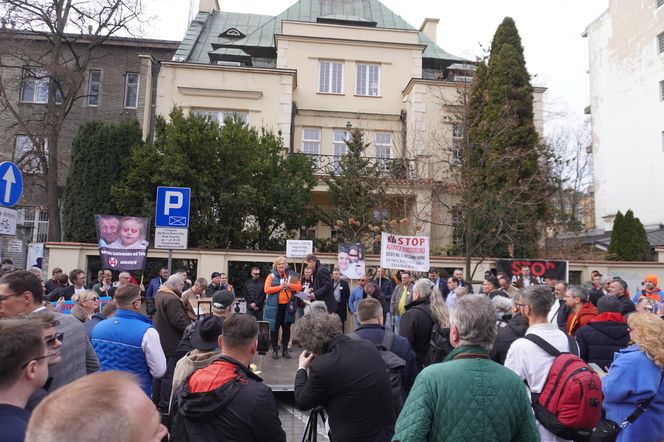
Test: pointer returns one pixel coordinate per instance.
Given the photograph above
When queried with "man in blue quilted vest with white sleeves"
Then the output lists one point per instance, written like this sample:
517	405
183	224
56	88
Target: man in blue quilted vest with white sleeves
127	341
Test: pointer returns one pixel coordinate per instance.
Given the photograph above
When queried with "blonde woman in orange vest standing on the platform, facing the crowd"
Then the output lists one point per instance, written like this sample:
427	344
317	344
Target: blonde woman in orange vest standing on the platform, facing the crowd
279	288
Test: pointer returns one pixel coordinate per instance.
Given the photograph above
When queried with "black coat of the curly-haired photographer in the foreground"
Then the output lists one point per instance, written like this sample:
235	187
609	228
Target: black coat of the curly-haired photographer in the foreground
351	382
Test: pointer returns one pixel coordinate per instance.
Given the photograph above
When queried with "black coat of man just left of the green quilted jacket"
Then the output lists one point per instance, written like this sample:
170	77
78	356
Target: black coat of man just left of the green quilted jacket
416	326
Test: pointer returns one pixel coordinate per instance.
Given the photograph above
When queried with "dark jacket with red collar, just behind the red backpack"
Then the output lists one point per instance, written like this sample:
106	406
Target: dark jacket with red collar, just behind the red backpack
599	340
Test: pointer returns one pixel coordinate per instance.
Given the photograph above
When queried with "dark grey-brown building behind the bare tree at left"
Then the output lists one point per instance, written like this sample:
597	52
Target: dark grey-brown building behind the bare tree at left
114	87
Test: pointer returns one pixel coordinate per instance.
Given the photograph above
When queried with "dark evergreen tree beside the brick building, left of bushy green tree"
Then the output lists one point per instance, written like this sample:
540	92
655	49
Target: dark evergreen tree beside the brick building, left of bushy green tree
100	155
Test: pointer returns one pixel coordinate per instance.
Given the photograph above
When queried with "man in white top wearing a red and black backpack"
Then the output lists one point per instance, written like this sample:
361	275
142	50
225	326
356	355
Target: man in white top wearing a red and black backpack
566	394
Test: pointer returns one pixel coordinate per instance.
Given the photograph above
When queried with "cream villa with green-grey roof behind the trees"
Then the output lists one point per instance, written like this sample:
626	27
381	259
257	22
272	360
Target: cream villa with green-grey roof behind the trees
322	68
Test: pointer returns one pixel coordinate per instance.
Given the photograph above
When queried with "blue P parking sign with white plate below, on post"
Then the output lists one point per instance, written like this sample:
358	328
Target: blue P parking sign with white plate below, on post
172	219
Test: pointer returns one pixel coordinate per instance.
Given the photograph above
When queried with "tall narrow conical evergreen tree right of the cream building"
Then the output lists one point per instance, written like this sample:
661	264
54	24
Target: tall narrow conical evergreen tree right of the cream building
502	131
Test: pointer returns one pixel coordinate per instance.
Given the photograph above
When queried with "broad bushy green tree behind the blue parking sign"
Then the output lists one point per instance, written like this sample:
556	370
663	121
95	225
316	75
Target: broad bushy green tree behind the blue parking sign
245	192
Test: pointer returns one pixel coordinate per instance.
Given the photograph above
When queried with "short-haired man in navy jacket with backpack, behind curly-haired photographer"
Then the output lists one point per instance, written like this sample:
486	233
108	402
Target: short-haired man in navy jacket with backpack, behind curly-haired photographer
370	314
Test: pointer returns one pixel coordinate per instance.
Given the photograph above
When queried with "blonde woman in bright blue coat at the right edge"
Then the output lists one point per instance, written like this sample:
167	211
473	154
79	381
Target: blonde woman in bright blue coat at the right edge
634	382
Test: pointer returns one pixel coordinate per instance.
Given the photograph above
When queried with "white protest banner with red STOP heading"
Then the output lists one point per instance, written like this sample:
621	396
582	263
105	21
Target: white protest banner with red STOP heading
404	252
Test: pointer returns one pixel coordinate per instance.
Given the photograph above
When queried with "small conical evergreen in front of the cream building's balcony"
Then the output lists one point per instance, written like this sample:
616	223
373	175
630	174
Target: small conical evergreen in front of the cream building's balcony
356	189
